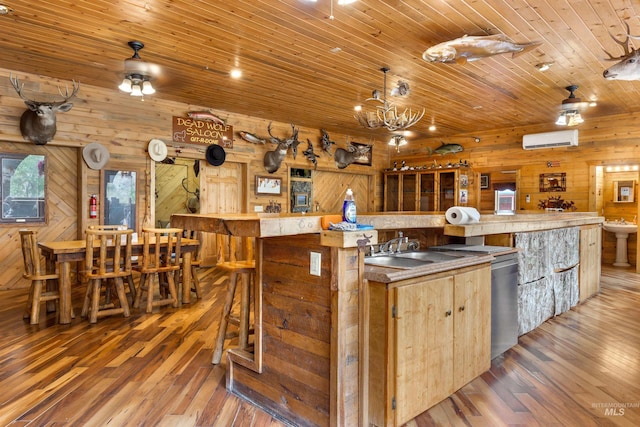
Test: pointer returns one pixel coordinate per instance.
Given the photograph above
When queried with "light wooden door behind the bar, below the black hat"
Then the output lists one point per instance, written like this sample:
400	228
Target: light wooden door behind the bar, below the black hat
221	191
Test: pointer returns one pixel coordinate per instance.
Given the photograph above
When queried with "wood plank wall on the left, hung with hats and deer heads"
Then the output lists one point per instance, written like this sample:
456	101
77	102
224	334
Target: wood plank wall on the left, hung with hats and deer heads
125	126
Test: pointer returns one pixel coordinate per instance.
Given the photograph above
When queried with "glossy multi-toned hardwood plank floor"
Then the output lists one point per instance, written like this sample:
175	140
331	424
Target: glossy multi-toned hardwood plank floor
581	368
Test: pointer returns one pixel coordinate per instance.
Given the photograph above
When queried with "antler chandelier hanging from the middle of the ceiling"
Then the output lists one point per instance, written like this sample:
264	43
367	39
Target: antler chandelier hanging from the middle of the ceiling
386	115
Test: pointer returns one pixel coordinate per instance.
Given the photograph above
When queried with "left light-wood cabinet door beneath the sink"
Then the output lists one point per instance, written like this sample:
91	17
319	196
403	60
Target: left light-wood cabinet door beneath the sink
424	349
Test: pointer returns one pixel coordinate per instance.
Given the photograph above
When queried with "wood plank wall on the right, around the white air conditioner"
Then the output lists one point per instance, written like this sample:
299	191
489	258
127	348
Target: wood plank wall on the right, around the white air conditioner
612	141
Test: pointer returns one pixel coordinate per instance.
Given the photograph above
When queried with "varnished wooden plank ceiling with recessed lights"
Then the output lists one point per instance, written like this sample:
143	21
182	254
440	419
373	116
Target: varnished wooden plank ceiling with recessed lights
302	67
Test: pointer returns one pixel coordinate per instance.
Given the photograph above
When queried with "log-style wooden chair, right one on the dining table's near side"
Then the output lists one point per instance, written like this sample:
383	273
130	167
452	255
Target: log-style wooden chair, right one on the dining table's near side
161	259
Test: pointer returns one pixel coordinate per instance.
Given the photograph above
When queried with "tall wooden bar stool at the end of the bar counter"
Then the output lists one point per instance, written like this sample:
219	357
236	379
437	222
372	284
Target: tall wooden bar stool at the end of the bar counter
245	271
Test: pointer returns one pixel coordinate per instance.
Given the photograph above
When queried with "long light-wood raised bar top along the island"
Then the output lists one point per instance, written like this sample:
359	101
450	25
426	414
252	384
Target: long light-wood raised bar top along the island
271	225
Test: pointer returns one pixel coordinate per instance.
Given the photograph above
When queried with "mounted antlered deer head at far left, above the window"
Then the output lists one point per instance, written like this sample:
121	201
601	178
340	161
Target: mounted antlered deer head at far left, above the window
38	122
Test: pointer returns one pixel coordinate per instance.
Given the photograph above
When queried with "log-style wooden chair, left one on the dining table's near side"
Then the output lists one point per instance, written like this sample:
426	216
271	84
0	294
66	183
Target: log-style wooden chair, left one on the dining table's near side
107	262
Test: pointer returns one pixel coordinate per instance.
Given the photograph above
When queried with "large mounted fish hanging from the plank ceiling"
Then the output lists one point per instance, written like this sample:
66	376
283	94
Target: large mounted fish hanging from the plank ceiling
471	48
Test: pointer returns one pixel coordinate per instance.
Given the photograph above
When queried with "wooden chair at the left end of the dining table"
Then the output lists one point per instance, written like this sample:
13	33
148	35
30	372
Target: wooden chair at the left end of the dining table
44	286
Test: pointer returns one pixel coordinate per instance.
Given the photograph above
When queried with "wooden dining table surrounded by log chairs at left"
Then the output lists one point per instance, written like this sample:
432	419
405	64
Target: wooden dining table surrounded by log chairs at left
64	252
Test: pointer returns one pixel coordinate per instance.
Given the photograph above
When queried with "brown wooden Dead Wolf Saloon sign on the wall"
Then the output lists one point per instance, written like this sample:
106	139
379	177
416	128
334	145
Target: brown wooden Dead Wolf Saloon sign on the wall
202	132
